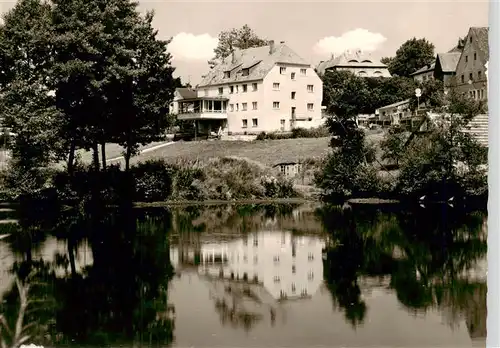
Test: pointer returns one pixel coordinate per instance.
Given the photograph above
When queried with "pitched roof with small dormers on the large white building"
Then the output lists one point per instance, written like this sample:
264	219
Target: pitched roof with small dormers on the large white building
258	60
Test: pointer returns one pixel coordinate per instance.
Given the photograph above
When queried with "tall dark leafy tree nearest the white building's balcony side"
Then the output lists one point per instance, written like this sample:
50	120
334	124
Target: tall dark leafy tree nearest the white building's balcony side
114	77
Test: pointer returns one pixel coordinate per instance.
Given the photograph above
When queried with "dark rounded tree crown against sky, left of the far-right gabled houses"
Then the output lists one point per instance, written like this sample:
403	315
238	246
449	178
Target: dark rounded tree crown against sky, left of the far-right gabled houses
411	56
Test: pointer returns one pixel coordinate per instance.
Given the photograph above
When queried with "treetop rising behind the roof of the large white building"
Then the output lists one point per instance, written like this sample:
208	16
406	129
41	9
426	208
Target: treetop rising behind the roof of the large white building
241	38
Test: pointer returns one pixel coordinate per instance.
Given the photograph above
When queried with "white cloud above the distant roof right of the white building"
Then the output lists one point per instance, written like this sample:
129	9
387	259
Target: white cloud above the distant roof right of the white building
355	39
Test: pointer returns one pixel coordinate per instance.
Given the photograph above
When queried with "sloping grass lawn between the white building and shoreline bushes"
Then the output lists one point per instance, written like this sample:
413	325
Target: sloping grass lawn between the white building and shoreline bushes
267	152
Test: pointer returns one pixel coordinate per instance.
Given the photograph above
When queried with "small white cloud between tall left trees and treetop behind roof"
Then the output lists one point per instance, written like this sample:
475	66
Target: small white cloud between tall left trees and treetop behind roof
186	46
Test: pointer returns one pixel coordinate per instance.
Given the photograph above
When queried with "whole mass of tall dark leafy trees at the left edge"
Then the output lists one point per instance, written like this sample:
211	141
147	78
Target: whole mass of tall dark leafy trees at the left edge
80	74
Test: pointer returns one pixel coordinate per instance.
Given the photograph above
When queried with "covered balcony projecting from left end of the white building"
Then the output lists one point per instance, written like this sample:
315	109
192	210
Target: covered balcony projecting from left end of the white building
204	108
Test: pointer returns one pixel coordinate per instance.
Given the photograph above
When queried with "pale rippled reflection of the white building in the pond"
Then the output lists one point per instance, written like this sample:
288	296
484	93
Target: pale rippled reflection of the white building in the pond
288	266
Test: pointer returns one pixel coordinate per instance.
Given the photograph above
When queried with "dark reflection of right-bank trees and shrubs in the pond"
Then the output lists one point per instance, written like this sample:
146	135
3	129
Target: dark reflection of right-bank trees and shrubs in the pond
425	251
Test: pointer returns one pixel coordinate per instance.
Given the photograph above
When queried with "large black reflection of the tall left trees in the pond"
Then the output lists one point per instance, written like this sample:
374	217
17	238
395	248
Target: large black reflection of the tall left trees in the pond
122	297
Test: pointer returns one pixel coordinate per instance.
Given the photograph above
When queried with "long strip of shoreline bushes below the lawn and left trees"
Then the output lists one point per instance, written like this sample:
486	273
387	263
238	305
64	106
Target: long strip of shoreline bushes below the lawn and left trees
217	179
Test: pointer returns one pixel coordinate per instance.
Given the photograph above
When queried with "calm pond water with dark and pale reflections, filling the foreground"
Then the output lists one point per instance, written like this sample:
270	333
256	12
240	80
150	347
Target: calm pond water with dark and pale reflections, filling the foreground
248	276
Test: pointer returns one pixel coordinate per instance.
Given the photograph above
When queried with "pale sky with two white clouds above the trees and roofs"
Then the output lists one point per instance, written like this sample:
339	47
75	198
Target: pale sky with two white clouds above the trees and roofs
312	29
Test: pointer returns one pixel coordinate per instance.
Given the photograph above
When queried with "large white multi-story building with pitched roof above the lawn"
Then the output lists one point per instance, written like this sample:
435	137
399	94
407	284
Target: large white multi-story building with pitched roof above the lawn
267	88
